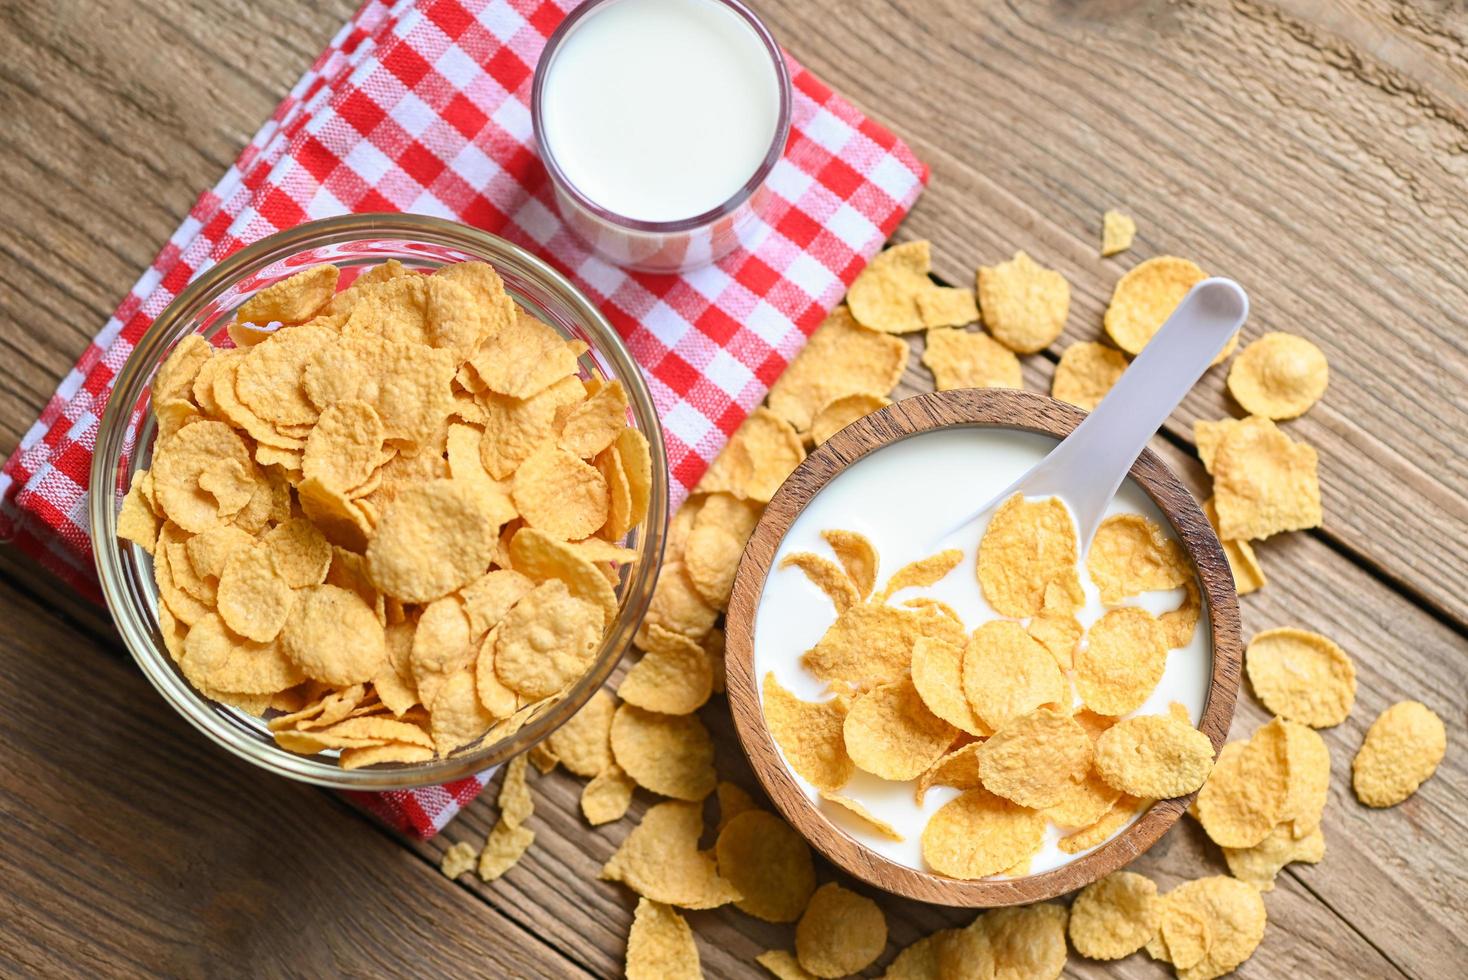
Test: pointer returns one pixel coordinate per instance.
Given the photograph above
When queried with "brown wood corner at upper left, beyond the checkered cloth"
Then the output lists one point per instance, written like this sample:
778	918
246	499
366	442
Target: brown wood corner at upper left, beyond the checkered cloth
117	117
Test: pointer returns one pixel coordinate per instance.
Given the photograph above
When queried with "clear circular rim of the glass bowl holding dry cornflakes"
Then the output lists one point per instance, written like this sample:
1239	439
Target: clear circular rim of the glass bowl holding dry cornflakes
136	617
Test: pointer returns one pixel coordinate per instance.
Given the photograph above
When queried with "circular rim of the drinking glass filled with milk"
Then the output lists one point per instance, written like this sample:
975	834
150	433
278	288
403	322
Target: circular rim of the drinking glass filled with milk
683	225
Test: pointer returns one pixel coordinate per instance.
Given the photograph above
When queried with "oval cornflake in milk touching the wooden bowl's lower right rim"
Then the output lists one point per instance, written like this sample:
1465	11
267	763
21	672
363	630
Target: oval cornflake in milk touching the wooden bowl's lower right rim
1155	756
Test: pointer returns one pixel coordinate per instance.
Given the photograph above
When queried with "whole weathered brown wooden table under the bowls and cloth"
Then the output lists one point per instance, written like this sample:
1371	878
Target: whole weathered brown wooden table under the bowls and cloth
1318	152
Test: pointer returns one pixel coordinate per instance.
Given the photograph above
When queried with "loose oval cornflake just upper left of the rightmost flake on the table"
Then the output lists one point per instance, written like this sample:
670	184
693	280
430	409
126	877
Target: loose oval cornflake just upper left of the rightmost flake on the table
1301	677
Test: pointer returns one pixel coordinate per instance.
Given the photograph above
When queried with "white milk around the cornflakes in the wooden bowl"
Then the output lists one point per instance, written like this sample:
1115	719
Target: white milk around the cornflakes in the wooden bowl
905	498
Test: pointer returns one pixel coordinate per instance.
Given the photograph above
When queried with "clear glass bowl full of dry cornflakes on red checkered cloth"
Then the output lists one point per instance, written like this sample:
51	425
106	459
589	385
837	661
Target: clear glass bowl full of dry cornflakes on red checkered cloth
379	501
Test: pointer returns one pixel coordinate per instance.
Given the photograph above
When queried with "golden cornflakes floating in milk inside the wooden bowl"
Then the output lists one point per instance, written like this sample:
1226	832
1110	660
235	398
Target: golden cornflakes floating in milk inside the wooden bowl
921	699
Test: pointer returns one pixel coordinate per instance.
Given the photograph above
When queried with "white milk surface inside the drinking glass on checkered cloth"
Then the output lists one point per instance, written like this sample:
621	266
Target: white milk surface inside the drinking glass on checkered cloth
660	111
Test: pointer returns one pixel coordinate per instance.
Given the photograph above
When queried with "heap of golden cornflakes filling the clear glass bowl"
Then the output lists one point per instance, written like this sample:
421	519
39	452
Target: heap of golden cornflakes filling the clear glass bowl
390	519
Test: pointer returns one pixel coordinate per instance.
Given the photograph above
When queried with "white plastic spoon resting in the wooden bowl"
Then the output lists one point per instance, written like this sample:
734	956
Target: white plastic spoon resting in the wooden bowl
1090	464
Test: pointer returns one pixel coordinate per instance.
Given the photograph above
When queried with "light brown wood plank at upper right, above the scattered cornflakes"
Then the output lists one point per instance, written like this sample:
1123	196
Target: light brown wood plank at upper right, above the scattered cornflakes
1266	145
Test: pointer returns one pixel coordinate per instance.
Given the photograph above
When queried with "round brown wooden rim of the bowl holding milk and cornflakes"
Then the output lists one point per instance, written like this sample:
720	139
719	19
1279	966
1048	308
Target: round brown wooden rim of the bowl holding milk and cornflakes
924	413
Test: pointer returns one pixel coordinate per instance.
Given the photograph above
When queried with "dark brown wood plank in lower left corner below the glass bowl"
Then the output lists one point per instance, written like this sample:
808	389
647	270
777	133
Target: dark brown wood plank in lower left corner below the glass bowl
137	849
